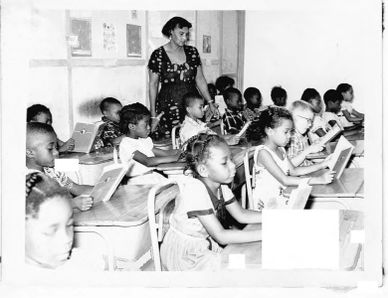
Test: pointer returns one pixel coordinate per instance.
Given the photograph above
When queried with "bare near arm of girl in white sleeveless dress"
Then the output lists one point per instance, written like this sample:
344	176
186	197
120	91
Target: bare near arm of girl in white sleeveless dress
265	158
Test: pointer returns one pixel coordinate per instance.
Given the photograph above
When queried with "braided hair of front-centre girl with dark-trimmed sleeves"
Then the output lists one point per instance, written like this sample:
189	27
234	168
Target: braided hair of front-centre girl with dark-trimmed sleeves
197	150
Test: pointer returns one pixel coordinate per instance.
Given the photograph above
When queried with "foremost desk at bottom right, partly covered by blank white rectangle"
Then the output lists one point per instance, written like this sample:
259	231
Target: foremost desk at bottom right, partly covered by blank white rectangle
350	253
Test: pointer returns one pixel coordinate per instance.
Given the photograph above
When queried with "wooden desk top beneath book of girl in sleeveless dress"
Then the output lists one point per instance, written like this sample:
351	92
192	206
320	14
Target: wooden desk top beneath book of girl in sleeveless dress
348	186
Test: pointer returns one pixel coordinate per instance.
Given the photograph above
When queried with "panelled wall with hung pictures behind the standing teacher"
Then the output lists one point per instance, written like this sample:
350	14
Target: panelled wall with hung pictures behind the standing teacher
74	92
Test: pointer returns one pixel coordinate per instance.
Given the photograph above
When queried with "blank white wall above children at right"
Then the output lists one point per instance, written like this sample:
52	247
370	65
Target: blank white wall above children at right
318	48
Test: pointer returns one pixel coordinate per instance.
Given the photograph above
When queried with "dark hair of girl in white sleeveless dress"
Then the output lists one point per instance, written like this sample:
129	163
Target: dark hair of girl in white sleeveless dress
269	118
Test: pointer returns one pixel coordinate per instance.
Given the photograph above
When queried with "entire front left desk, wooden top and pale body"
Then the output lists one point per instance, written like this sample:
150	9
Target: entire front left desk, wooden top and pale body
122	224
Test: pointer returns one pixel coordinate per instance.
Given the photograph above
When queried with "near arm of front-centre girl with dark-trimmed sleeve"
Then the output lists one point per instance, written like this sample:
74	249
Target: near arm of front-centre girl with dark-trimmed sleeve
222	236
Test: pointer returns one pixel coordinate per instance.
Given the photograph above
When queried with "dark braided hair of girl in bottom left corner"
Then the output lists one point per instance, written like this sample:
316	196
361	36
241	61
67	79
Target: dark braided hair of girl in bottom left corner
39	189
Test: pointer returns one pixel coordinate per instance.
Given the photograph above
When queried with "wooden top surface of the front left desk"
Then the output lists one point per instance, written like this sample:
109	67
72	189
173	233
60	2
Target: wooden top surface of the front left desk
127	207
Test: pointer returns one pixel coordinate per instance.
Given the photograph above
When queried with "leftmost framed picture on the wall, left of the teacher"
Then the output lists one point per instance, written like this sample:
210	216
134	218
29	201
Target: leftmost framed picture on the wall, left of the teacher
81	35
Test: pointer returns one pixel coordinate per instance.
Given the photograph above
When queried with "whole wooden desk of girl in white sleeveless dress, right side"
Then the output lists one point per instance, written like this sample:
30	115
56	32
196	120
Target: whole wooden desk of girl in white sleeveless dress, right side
346	192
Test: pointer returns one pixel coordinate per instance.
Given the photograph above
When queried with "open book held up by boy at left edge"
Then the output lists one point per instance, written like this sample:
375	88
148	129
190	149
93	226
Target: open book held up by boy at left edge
109	181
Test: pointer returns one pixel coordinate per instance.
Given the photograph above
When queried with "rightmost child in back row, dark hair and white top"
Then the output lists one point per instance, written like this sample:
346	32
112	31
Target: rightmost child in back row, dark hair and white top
350	114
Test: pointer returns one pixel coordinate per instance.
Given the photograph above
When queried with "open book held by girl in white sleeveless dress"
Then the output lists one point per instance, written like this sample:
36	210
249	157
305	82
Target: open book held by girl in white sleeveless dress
341	156
